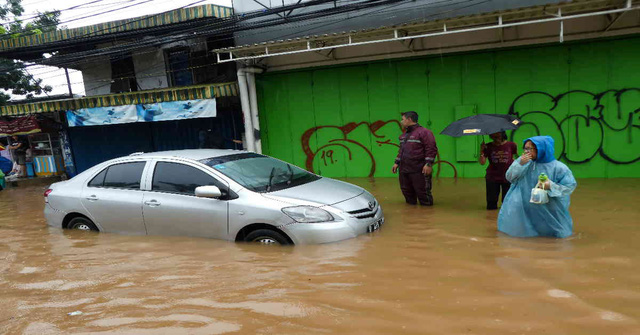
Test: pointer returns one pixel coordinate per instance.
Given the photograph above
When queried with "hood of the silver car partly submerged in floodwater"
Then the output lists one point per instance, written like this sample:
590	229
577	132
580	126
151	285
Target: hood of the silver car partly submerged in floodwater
321	192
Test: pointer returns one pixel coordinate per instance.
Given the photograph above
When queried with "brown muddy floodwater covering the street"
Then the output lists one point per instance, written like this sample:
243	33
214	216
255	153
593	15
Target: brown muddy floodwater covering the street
440	270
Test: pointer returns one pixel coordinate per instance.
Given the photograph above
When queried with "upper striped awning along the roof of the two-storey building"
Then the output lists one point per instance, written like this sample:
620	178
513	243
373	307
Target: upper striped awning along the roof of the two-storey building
166	18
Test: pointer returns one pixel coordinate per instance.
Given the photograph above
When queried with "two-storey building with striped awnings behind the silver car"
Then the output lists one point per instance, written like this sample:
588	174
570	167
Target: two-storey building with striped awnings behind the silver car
150	85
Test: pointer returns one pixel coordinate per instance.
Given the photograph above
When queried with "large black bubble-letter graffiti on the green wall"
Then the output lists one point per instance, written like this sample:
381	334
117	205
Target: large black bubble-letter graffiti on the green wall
584	124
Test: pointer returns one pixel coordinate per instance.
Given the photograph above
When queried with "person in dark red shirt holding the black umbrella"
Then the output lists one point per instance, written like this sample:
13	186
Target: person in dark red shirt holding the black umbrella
500	154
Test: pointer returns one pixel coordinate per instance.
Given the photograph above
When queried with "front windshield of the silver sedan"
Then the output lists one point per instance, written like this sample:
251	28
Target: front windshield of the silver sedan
260	173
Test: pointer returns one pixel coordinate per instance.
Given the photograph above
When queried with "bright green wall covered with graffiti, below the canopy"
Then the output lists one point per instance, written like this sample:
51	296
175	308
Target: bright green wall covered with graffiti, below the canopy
343	121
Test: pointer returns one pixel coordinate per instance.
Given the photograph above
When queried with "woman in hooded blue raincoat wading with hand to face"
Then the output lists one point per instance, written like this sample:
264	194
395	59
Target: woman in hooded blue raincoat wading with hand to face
518	217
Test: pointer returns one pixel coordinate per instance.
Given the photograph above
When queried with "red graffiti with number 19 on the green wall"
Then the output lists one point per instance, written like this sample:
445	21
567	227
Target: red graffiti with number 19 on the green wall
322	143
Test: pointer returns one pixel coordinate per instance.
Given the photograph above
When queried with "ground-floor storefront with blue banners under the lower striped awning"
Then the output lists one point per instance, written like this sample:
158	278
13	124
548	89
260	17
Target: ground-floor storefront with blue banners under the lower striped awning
87	131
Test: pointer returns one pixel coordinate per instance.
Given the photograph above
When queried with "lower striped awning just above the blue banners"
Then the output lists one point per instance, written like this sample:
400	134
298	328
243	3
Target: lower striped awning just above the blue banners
142	97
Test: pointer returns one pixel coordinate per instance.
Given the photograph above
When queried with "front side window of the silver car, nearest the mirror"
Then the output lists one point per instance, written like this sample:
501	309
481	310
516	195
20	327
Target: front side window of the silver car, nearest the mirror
180	178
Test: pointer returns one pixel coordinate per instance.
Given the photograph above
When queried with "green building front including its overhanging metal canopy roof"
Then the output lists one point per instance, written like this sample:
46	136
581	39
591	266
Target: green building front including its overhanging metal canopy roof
331	102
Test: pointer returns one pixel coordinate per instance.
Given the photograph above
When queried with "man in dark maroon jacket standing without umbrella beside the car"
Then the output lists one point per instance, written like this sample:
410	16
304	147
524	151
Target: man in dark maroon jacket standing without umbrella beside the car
417	153
